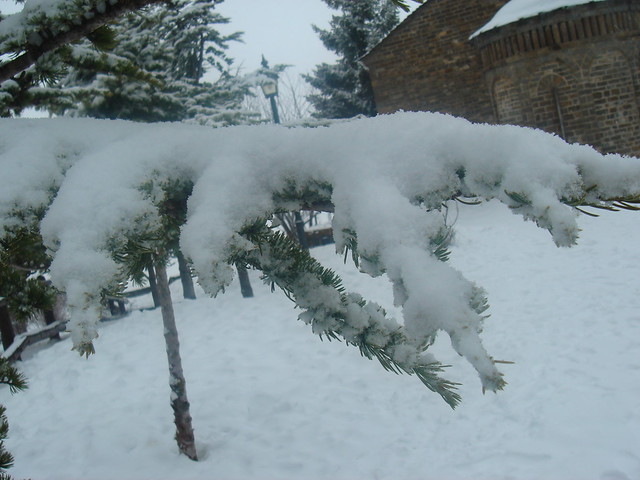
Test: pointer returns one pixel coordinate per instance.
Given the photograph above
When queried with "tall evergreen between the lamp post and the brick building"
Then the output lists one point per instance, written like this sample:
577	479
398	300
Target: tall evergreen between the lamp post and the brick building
344	88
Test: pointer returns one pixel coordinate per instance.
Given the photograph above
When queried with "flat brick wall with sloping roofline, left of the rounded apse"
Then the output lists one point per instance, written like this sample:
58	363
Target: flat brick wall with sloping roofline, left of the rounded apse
427	62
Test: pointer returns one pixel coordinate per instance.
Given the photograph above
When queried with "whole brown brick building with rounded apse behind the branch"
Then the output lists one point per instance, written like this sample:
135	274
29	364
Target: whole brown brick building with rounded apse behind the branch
573	71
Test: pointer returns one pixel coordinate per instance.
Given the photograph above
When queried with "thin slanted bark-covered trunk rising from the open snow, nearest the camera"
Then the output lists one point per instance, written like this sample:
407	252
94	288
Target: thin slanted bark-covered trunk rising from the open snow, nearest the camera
179	401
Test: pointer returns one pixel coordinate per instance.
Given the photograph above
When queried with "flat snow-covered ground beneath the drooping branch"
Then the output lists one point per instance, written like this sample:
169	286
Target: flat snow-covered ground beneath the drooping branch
271	401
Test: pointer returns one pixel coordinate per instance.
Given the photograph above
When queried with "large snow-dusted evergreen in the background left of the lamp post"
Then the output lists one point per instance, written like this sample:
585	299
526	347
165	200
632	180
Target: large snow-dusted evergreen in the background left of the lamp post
169	47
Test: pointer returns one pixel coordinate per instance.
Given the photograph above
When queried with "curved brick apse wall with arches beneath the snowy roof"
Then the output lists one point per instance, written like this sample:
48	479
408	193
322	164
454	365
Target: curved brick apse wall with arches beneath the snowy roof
573	72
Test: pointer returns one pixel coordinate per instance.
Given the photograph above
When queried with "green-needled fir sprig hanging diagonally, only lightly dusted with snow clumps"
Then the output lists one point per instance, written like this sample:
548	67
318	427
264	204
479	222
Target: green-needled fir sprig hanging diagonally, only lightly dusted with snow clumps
335	314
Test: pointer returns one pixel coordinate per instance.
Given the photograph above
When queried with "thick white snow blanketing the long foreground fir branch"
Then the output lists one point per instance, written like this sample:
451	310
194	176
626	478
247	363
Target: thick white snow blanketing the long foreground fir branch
103	183
